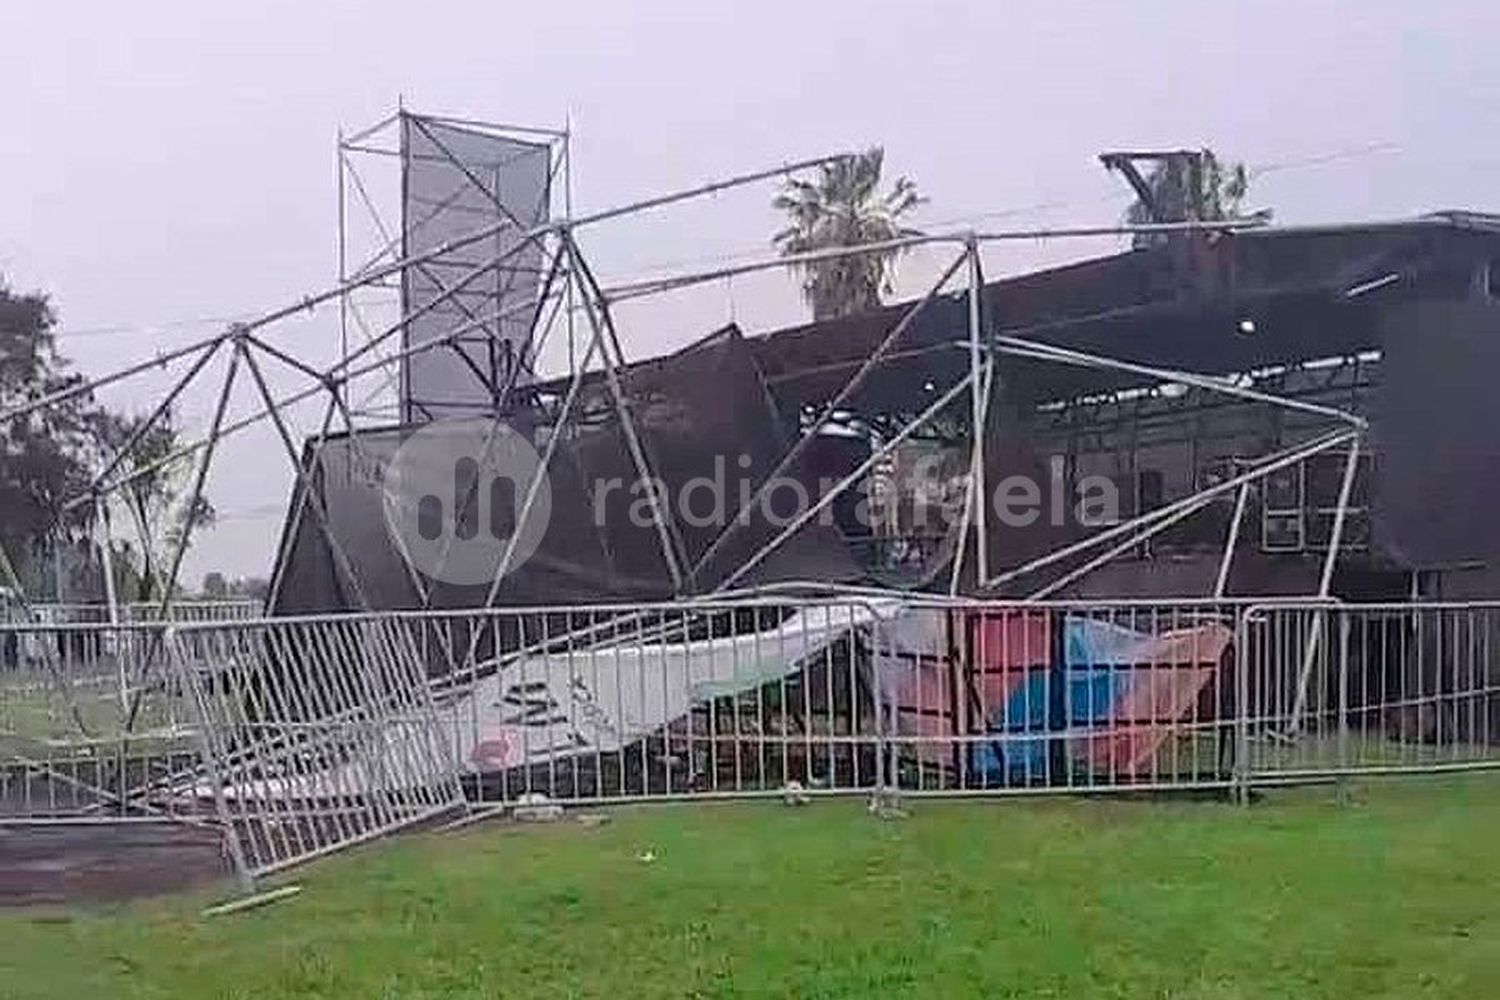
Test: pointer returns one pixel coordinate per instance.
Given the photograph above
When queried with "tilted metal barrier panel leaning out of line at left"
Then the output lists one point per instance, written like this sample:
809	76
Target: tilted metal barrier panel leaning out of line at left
316	734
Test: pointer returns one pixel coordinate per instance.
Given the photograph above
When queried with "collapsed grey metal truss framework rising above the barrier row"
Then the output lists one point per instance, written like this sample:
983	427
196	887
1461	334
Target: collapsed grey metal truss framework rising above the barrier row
571	304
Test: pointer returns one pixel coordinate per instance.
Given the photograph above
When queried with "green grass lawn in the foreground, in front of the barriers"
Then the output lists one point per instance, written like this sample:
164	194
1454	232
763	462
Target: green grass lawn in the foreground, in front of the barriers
1391	894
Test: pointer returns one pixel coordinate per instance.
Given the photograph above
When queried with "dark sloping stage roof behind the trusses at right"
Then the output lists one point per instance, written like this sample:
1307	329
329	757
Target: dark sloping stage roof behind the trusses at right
1307	292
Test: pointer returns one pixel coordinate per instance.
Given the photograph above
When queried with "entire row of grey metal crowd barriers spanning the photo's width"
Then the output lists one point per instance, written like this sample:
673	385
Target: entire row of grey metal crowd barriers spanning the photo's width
302	735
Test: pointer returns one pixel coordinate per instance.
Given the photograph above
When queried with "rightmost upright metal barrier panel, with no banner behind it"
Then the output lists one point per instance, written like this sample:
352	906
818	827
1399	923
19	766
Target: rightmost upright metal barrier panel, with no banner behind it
1369	689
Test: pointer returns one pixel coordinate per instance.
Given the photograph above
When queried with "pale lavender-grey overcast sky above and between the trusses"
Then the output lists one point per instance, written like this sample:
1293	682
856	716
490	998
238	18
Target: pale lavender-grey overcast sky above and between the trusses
170	166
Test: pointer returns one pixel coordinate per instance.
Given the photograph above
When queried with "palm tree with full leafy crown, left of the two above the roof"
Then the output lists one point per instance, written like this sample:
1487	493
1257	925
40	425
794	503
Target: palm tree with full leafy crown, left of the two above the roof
845	209
